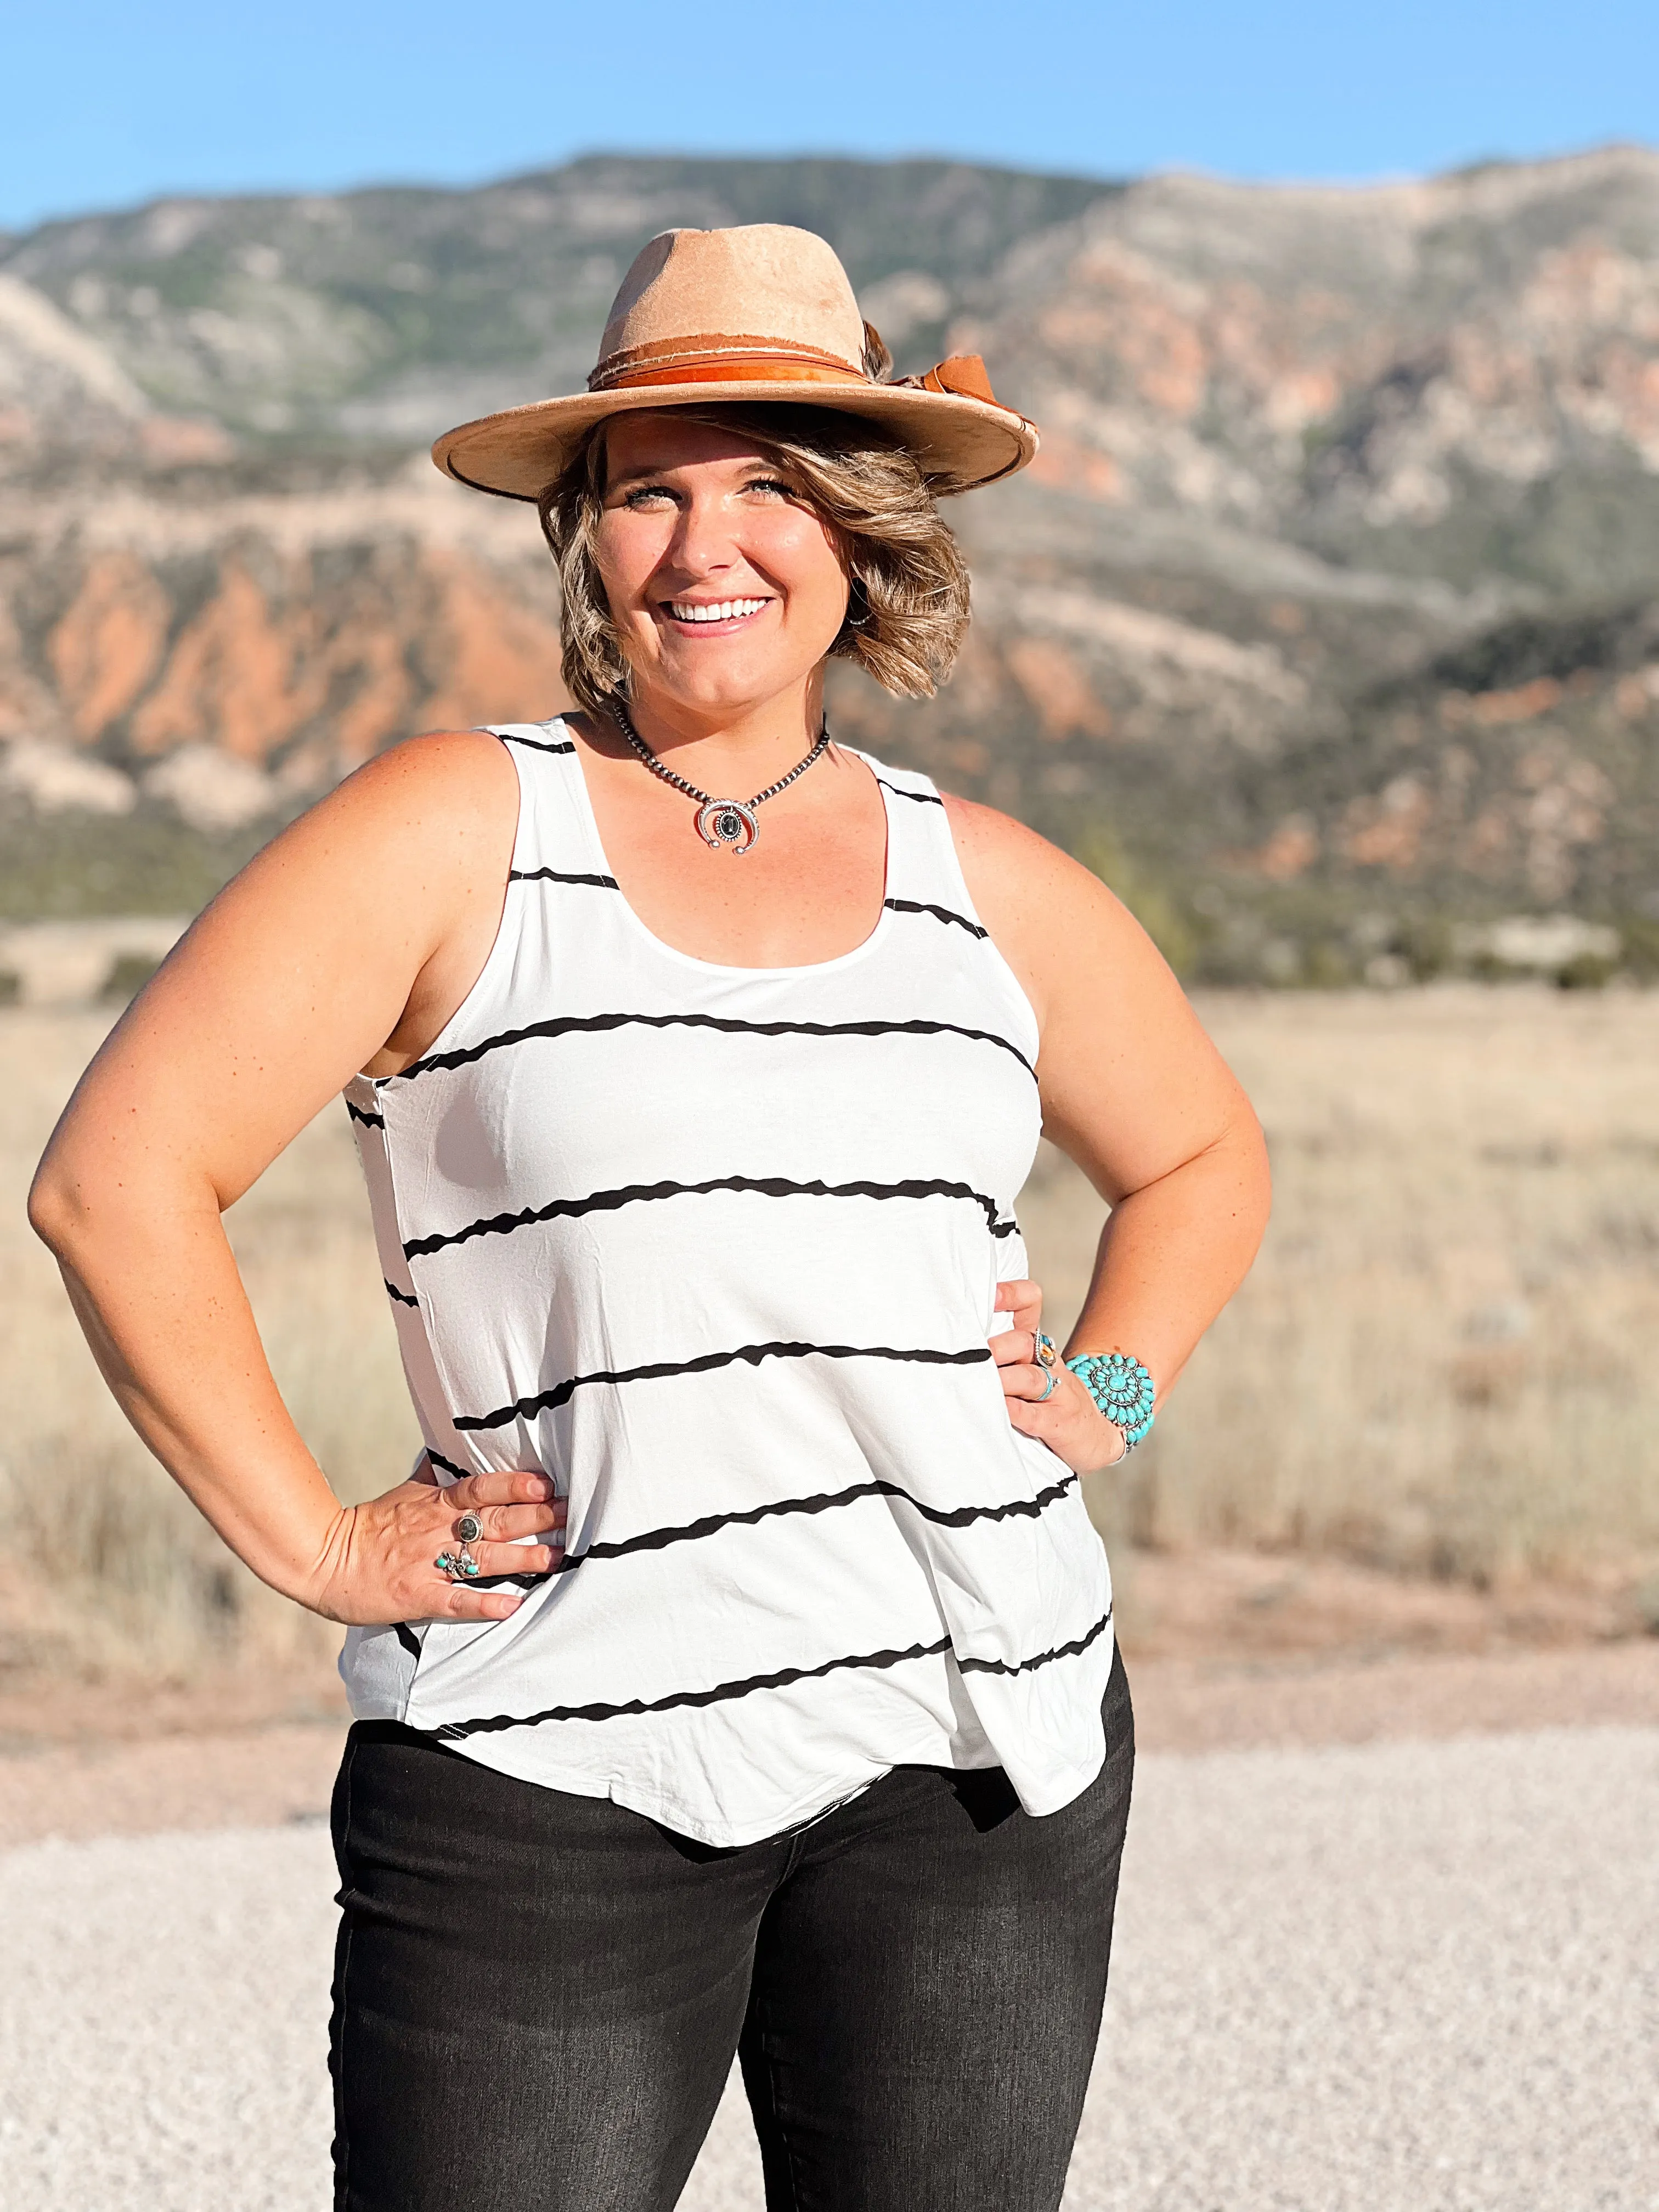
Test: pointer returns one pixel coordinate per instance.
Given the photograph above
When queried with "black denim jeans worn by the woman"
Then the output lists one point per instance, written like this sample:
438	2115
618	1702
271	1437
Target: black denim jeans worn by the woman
539	1996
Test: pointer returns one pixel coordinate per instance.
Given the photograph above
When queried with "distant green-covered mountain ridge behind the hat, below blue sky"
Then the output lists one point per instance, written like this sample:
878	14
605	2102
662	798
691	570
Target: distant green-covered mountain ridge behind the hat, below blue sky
386	317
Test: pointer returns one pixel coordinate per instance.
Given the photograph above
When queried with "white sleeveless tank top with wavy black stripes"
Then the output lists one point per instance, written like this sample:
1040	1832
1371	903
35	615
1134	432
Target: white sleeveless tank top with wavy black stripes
718	1251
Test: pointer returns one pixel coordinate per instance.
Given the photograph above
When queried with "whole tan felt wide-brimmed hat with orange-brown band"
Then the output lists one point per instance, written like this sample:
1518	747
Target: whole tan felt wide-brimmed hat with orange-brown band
762	313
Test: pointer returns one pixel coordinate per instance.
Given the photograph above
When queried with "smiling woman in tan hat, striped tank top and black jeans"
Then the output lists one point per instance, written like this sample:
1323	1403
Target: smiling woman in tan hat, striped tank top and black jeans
735	1673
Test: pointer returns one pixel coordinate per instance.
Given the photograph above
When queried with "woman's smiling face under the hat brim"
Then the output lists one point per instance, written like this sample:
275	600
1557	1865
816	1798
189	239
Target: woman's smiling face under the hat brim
724	587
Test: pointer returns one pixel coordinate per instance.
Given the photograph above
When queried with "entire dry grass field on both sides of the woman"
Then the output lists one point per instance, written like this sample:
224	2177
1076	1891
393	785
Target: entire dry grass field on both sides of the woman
1437	1384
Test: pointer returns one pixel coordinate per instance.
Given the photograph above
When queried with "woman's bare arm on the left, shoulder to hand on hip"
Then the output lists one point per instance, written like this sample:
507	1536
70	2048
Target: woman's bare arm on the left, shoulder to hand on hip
344	946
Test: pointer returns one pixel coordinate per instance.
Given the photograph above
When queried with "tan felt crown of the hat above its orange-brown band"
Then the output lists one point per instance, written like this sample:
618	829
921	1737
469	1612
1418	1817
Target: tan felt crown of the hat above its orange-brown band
698	291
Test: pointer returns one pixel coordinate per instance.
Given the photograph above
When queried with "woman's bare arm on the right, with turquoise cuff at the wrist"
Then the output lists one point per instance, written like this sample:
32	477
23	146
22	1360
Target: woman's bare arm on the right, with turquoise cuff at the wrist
1138	1096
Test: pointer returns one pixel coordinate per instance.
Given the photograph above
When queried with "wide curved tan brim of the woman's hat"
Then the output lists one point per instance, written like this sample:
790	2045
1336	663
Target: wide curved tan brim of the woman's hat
959	441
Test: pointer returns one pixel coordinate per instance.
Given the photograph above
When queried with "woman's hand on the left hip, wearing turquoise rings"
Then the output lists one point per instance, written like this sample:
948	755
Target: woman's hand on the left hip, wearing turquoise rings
379	1563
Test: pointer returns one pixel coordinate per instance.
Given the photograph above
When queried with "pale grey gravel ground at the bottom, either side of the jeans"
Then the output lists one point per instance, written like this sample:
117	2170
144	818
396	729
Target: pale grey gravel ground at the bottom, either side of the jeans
1390	1979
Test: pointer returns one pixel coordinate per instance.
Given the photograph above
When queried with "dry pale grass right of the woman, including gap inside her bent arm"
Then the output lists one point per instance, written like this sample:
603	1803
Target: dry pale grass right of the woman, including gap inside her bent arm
1443	1361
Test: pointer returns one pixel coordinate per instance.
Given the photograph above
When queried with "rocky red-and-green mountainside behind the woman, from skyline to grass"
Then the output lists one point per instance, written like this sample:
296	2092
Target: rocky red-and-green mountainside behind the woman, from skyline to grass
1326	625
